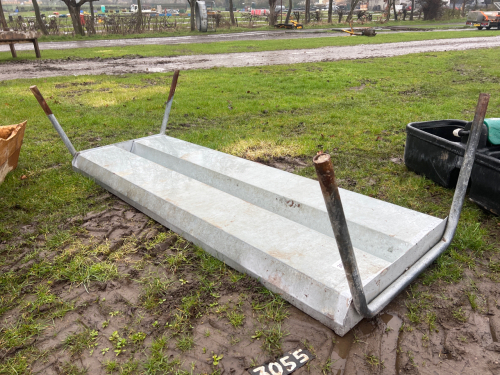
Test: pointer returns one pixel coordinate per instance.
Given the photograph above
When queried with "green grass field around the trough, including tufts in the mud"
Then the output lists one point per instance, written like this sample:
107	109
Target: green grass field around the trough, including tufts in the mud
355	110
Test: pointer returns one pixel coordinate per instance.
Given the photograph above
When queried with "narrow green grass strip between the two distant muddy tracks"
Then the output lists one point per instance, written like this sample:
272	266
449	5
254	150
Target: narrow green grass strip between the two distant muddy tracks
242	46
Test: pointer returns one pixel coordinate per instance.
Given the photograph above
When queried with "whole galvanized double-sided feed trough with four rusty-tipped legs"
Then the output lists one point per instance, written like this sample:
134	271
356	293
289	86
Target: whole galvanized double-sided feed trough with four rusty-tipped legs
274	225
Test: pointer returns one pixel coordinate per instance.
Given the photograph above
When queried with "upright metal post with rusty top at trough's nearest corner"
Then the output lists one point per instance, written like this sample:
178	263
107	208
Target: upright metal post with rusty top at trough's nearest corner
326	176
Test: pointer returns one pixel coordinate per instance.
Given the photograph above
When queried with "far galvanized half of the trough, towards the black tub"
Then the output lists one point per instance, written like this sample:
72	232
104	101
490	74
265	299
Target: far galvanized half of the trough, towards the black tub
379	228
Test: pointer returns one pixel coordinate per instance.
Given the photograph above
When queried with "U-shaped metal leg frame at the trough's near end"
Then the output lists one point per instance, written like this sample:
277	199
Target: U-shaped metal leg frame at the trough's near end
328	187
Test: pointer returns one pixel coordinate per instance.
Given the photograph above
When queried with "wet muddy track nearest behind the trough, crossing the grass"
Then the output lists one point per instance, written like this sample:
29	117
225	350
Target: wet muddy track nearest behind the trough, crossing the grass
139	64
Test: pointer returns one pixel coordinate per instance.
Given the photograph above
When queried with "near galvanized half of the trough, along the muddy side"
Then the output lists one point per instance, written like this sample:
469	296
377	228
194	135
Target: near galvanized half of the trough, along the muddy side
288	258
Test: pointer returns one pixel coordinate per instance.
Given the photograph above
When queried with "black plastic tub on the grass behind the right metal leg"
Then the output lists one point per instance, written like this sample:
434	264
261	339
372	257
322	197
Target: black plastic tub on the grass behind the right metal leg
435	152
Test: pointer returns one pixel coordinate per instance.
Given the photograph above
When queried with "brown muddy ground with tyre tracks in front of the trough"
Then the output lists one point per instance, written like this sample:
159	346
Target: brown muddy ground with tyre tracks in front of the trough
443	343
